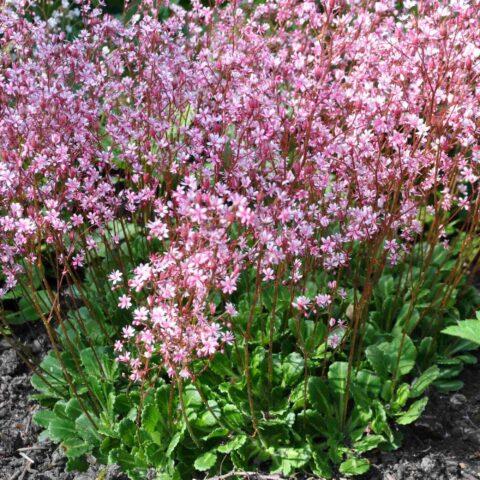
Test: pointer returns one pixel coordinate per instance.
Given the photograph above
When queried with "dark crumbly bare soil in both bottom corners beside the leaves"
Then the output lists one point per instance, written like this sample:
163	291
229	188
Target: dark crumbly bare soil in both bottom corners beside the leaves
444	444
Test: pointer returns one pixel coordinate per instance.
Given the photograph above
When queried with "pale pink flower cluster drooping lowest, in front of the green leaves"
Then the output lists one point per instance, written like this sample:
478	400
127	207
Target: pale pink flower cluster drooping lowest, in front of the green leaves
178	320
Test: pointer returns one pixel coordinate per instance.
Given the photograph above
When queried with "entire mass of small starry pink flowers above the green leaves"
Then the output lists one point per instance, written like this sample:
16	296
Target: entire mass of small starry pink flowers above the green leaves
248	136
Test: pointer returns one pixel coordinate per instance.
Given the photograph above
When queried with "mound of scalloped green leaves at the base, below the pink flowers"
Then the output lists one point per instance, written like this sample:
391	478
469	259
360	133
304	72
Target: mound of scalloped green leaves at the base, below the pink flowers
315	409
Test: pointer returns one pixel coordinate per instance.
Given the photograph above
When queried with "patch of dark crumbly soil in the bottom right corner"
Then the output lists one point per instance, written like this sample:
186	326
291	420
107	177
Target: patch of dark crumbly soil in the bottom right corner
444	444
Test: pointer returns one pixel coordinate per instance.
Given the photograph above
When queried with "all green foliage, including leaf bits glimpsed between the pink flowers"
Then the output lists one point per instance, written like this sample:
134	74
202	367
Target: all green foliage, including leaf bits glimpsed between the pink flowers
305	406
